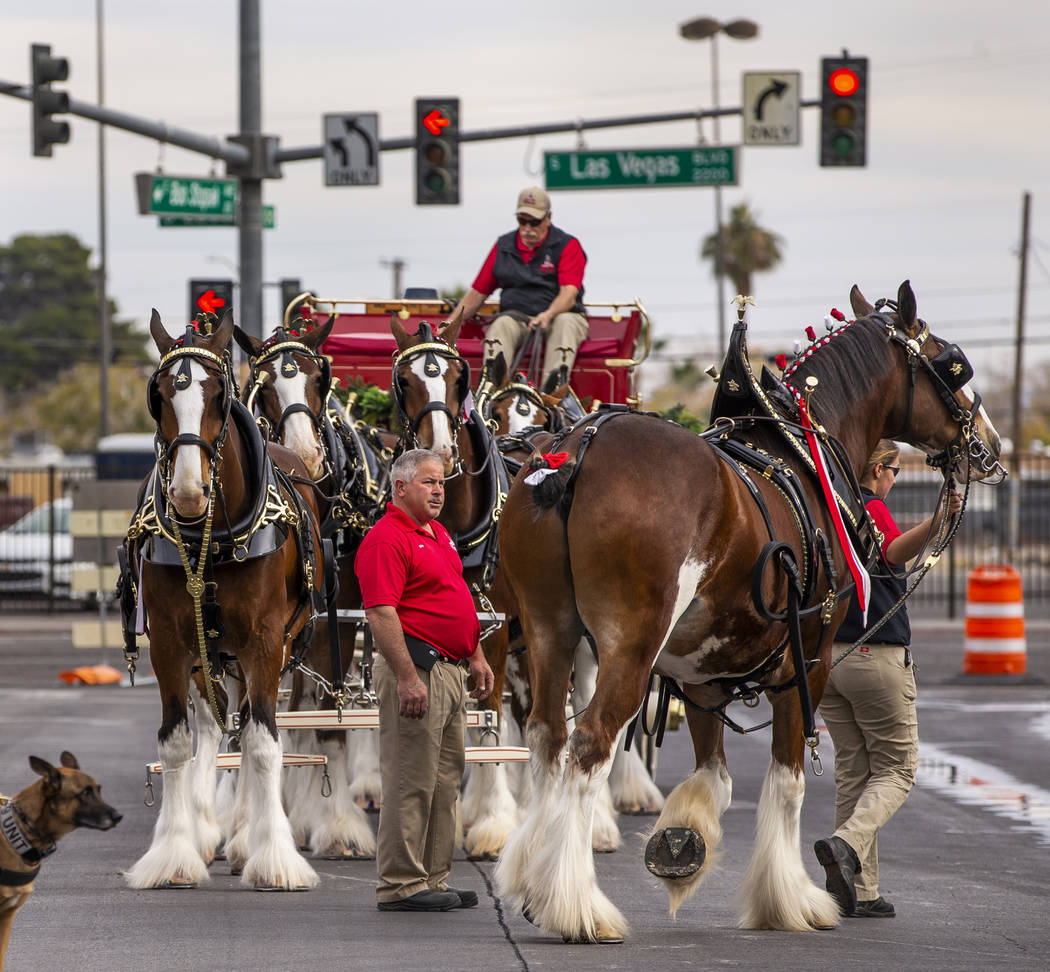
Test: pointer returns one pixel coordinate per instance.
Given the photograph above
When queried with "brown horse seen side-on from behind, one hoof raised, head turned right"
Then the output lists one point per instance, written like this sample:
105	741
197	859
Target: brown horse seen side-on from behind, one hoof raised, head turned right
648	539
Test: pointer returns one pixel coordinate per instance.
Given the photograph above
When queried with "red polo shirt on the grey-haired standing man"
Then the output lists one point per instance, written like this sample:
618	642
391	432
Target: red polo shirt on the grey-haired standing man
422	577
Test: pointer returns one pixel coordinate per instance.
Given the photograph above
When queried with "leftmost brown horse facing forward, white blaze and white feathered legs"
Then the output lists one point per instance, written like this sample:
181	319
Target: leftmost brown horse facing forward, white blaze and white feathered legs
229	559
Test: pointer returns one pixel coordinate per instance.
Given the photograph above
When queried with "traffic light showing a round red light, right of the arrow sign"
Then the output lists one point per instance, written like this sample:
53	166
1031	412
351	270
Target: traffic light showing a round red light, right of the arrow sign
844	112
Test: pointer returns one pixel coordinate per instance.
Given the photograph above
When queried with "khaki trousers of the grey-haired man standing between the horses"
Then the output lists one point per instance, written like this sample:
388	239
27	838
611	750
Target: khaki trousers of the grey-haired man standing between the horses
422	769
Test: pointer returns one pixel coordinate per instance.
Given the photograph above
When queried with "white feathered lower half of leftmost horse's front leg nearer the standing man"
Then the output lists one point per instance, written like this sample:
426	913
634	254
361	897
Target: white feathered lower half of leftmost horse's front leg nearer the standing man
274	861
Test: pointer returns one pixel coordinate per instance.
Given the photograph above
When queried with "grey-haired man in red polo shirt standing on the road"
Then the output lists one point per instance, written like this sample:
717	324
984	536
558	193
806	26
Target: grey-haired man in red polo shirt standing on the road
425	624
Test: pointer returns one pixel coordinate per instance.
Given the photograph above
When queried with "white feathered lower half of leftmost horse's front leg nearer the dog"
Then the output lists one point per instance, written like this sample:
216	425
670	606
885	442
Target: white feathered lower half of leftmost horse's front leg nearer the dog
173	854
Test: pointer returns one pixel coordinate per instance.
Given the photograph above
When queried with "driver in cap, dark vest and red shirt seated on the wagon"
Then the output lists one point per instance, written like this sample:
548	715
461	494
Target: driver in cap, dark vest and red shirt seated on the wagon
540	272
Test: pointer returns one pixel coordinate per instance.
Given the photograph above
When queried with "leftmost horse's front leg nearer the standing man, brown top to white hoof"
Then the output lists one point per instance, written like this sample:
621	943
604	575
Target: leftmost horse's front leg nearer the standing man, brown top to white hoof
274	861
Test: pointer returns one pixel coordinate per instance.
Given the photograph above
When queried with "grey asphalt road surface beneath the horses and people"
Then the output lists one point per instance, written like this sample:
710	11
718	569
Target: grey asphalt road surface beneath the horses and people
967	861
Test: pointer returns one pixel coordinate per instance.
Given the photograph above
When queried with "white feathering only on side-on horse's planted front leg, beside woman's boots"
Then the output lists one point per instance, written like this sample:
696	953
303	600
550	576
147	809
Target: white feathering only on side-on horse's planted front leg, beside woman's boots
776	892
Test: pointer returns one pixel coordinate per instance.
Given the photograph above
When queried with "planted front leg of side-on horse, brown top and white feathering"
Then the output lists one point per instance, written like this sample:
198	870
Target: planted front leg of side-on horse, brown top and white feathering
778	892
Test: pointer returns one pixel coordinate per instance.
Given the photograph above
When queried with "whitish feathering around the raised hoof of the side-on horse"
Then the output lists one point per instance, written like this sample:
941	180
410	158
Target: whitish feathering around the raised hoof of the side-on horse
697	805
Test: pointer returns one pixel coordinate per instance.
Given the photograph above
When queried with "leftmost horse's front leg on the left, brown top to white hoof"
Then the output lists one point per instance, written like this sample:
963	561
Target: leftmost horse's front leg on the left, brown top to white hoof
174	858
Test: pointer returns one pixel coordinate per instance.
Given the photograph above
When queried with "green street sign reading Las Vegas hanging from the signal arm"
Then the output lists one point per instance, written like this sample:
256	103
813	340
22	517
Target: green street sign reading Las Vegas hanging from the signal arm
642	168
